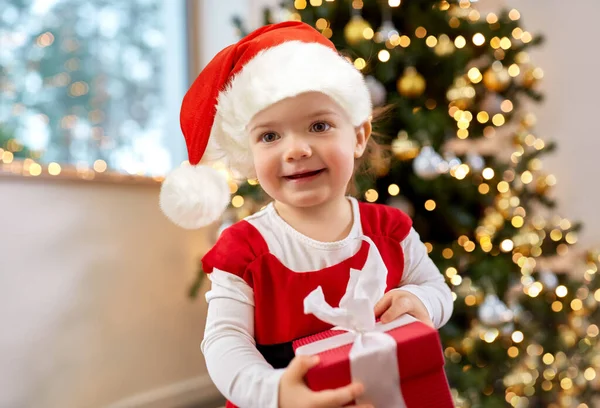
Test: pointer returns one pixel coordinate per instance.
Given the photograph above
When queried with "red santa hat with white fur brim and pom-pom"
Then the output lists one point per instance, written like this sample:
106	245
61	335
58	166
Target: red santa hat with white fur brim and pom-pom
272	63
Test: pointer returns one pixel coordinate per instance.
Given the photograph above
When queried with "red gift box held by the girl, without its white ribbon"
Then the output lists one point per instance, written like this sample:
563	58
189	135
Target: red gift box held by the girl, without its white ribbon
419	357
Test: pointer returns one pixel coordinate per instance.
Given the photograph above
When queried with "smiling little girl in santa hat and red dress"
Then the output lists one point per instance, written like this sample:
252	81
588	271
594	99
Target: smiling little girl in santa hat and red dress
284	107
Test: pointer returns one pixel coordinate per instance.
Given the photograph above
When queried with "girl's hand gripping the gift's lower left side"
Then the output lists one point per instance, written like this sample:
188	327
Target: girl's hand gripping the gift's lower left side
293	392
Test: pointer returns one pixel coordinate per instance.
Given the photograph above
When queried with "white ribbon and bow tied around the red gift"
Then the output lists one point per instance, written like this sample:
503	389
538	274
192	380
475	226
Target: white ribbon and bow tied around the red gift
373	358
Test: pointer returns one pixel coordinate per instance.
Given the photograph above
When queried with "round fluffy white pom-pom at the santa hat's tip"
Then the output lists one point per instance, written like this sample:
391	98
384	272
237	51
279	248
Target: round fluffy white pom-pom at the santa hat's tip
194	196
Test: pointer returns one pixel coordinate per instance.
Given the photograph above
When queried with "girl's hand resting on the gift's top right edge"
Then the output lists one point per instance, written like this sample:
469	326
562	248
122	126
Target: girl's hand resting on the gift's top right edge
395	303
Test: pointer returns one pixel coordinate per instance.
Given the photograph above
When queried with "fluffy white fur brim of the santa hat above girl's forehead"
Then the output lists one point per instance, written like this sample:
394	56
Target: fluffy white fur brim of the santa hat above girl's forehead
280	72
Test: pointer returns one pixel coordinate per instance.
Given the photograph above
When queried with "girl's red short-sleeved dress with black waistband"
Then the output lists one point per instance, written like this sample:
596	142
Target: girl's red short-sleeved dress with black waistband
279	292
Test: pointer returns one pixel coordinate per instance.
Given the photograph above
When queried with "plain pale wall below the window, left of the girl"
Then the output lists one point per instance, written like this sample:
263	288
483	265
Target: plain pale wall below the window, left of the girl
93	283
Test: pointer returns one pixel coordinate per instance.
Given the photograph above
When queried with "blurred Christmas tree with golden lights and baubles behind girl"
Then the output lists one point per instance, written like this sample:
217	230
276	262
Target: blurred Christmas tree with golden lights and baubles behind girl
460	155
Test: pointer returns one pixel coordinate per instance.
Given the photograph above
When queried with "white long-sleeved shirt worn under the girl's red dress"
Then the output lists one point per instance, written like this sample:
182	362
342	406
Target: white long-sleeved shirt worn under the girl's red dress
234	364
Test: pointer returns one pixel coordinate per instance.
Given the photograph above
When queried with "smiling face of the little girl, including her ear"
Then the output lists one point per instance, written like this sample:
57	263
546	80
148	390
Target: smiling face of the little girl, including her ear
304	149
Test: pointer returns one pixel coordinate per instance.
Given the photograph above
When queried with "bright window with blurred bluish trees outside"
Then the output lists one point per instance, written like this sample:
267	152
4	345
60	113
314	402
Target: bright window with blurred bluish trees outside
94	83
